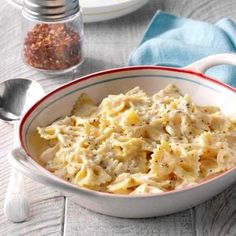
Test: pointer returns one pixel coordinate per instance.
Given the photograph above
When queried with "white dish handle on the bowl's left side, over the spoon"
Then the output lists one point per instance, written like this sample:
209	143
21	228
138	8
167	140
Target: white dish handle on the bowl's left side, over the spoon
19	160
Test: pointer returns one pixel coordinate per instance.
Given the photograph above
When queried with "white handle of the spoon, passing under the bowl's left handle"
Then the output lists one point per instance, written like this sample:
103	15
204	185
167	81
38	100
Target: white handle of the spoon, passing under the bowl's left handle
16	205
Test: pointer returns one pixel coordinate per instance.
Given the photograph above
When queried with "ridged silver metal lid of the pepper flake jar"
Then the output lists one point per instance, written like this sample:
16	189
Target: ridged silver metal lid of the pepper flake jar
50	10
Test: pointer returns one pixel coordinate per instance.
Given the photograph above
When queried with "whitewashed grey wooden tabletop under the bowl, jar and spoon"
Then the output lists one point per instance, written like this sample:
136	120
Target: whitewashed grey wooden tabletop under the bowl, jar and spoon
107	45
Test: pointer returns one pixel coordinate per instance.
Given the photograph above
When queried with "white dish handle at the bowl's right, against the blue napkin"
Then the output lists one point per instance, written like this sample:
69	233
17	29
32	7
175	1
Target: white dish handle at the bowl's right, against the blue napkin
204	64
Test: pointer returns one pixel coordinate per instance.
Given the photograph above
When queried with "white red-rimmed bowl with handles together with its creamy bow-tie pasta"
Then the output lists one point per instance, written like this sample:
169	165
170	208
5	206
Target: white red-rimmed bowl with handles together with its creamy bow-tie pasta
200	164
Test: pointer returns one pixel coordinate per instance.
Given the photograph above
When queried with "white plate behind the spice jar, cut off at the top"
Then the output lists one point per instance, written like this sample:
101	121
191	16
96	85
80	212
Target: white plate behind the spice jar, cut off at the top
99	10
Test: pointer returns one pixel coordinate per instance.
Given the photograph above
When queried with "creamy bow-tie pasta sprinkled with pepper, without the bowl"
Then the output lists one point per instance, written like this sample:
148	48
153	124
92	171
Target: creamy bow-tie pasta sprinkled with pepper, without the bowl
135	143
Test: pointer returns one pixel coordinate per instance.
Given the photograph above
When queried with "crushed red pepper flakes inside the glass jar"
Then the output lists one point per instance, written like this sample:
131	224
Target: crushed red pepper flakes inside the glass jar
52	47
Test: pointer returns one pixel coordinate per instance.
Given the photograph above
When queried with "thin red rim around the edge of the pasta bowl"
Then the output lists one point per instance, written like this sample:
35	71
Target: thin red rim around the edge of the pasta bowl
109	71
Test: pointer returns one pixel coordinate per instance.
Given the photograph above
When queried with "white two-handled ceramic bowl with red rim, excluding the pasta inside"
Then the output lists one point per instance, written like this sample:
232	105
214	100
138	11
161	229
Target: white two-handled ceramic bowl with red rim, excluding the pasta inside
204	90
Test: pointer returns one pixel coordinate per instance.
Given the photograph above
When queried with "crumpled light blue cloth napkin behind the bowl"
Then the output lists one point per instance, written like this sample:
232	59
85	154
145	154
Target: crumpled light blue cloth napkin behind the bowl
177	42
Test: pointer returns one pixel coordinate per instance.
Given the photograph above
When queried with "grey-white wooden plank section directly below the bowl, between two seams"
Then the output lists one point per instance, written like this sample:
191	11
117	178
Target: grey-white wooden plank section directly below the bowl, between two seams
82	222
